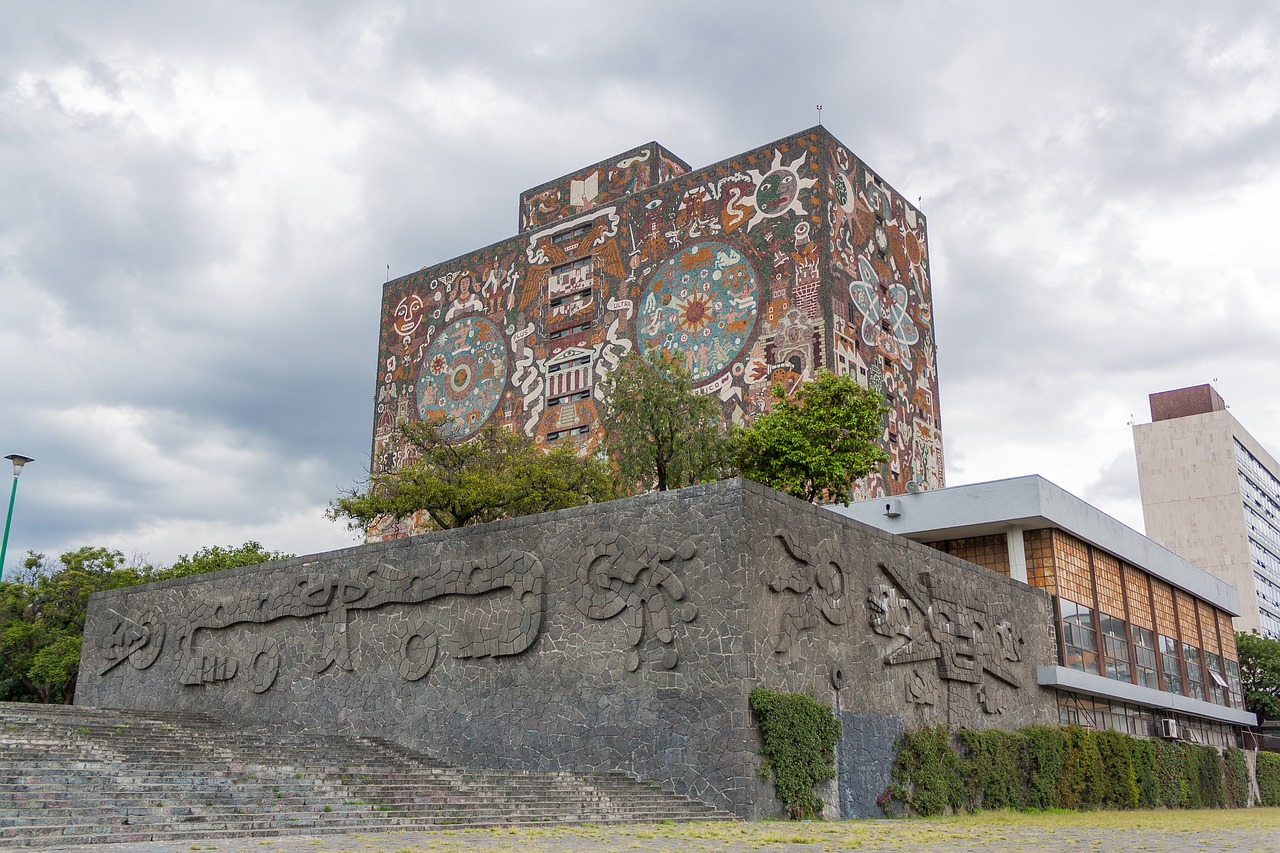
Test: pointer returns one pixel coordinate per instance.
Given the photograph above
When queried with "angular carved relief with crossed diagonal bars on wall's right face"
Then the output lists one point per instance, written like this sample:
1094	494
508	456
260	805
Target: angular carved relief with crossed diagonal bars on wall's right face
968	645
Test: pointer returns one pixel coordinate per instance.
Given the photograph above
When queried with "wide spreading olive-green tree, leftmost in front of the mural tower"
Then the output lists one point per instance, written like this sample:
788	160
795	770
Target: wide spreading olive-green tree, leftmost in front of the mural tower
497	475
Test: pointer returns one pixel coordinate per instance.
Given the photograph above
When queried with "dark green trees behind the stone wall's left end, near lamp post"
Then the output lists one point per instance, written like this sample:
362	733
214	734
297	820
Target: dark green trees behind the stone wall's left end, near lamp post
43	610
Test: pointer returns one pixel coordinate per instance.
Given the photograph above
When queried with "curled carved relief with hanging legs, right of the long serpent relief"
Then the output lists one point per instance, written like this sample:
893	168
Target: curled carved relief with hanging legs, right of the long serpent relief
618	578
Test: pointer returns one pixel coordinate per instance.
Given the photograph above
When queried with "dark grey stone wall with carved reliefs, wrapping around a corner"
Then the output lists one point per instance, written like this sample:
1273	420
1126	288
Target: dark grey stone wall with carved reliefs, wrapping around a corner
624	636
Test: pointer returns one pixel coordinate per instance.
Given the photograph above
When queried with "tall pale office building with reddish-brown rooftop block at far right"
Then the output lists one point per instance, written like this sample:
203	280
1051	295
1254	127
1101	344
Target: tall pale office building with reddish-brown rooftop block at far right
1212	494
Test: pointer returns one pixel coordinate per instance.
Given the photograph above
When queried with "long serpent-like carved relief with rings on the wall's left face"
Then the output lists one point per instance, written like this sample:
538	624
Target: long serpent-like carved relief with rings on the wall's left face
505	618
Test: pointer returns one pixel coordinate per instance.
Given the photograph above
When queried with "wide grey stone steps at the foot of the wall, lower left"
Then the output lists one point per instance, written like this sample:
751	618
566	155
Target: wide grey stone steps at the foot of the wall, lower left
76	776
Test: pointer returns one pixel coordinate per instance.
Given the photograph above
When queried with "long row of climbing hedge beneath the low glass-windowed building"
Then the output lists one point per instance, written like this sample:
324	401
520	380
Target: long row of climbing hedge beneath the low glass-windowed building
1066	768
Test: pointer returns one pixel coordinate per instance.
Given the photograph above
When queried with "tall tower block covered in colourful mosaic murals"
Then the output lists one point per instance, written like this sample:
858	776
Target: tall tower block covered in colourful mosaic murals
758	271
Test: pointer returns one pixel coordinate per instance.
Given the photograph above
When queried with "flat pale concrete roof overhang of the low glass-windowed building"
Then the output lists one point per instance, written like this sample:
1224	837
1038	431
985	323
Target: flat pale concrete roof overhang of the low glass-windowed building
1031	504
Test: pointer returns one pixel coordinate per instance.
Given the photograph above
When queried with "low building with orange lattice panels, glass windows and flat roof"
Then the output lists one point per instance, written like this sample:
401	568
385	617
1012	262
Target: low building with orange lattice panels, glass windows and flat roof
1144	636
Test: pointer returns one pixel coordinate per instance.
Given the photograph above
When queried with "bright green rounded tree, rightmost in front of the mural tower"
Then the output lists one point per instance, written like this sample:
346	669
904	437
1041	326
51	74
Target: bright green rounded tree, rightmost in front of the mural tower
816	444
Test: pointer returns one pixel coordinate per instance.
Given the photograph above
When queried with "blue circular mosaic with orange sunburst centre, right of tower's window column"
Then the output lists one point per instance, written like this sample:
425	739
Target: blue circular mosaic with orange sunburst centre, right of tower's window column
703	303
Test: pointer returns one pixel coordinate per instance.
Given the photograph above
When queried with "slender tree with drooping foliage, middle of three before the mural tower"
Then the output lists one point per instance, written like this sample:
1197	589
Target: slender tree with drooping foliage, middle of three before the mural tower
660	434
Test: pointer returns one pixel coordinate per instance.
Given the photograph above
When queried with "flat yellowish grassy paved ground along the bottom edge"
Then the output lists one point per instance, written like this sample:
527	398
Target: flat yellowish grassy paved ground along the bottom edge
1240	832
